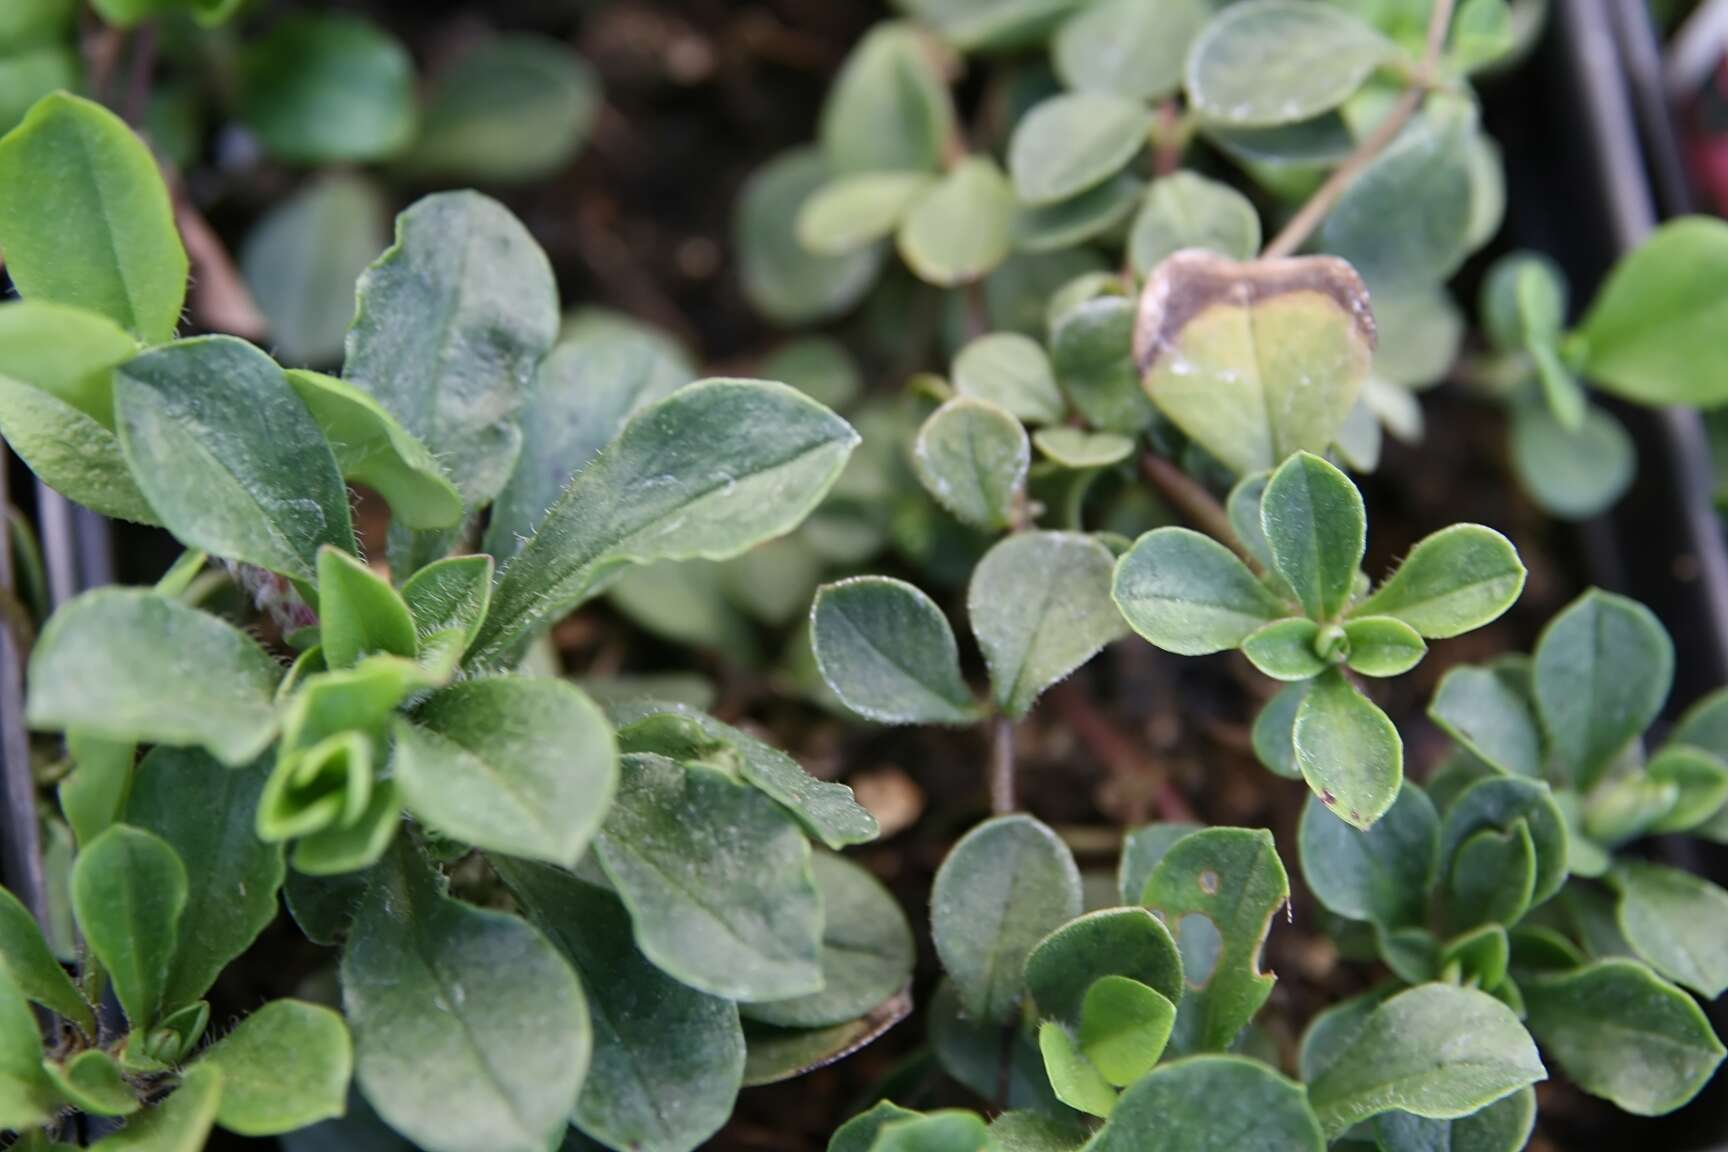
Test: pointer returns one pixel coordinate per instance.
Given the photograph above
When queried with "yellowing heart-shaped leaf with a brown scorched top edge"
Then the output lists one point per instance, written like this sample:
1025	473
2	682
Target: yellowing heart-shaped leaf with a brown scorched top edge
1261	360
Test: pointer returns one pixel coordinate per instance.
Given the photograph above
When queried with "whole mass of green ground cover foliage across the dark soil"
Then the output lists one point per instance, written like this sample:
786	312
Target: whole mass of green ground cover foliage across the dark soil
1074	393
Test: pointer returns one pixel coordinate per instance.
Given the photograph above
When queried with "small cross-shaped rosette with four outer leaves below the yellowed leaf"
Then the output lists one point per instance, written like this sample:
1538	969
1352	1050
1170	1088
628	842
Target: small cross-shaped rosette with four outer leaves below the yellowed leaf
1299	605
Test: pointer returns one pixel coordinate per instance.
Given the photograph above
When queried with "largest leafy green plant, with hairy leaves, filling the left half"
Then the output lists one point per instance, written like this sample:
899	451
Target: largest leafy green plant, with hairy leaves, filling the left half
670	908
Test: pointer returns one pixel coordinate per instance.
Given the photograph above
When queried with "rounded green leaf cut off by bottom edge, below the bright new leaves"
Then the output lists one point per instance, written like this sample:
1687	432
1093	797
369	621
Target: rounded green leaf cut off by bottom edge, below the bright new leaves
1212	1105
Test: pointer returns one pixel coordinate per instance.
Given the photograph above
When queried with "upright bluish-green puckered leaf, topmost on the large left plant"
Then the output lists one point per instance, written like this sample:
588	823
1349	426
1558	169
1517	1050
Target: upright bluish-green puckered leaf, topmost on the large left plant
448	329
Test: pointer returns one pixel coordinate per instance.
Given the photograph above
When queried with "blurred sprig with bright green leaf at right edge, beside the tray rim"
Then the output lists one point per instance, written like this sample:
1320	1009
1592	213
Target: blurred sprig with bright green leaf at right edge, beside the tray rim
1642	339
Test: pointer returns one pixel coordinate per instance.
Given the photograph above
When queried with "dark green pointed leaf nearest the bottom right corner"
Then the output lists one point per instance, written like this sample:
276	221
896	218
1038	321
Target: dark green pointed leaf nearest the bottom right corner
1623	1034
